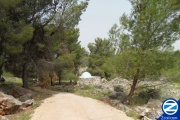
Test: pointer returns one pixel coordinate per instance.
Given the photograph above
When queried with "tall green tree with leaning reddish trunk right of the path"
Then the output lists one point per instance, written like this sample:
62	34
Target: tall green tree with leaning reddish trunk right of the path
151	27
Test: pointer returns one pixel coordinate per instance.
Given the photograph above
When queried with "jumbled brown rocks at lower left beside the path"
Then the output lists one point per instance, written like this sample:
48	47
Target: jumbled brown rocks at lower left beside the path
20	100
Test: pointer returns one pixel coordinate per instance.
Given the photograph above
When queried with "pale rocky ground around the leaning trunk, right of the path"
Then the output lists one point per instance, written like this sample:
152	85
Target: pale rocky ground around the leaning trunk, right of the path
157	92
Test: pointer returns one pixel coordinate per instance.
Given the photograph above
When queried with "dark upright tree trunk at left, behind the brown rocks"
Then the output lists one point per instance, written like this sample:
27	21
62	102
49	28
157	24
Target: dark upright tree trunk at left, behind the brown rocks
24	77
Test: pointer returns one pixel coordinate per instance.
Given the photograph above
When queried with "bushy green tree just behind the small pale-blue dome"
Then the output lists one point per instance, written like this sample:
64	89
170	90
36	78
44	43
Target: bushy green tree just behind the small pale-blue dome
100	52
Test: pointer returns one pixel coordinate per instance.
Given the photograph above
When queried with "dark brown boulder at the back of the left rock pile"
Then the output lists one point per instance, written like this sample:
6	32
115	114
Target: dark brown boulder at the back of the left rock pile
19	91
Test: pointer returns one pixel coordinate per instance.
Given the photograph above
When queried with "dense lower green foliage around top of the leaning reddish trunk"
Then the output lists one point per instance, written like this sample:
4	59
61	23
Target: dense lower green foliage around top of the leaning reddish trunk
150	62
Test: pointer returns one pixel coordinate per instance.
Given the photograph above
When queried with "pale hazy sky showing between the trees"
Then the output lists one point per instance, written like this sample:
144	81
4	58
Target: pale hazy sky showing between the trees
100	16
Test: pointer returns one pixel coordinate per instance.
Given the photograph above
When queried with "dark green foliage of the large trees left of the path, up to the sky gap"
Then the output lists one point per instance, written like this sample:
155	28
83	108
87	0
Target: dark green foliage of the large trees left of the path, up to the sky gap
34	30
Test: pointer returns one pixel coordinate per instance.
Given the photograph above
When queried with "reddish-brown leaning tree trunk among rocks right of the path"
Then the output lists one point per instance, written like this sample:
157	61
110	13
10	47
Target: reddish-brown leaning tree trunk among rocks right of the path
133	87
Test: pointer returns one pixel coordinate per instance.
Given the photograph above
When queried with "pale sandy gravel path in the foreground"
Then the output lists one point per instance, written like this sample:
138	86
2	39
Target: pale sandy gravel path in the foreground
67	106
